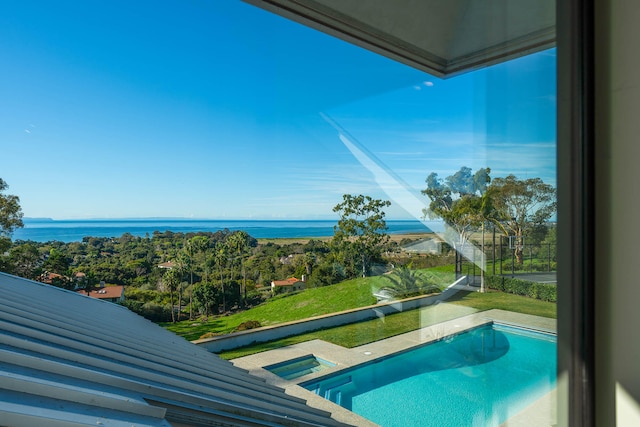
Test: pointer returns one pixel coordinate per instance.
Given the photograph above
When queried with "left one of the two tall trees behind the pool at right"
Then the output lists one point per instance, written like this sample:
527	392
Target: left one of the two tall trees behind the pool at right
459	201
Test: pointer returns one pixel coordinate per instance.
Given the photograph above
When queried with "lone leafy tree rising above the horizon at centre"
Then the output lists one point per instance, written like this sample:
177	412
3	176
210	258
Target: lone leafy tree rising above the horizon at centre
361	232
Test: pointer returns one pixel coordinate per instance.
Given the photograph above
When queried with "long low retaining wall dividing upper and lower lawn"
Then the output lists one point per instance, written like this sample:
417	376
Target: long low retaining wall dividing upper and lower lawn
283	330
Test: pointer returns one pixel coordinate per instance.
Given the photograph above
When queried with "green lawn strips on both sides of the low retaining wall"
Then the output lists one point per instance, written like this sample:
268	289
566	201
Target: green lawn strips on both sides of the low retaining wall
344	296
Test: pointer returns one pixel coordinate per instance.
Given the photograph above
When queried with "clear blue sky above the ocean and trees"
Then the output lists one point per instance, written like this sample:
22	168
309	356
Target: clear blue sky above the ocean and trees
212	109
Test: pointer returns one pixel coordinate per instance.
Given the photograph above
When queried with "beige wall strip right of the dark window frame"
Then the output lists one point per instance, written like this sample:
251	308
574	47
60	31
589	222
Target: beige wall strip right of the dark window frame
618	212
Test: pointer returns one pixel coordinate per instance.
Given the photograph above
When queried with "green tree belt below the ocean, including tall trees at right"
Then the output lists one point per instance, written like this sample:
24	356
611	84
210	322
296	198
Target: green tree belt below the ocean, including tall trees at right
172	275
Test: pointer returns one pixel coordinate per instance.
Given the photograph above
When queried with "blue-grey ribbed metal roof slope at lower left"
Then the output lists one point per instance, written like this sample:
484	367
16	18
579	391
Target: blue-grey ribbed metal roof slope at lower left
67	359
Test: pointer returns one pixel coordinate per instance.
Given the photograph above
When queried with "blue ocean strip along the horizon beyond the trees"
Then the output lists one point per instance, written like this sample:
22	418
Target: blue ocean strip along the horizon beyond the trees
74	230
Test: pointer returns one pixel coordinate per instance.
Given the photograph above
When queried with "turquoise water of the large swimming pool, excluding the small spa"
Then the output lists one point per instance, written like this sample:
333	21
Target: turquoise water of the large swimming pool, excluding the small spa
481	377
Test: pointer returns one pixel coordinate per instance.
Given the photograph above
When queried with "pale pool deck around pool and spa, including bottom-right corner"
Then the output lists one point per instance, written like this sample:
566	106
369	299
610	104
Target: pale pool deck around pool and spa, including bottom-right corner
541	413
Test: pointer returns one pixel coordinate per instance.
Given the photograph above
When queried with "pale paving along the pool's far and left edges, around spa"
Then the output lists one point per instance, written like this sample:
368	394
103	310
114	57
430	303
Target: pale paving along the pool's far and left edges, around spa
346	358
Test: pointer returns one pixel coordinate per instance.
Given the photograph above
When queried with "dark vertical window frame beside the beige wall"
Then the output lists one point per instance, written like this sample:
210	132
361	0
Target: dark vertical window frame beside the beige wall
576	208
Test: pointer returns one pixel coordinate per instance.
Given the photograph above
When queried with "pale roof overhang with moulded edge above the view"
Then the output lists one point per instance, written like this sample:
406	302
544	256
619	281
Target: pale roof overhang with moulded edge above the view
441	37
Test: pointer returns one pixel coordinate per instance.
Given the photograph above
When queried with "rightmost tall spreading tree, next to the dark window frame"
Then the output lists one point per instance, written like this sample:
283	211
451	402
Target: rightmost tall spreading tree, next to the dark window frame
523	208
